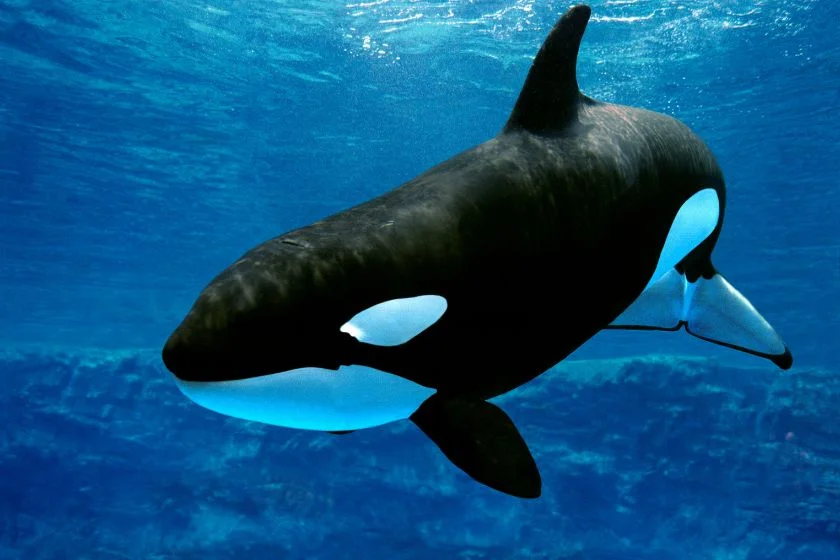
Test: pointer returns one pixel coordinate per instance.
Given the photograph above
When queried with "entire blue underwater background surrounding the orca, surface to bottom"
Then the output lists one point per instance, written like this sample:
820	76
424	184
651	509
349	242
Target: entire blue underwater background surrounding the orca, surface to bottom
146	145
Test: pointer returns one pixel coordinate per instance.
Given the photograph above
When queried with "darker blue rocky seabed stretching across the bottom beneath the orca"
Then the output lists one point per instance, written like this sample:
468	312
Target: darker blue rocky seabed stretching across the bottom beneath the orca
101	457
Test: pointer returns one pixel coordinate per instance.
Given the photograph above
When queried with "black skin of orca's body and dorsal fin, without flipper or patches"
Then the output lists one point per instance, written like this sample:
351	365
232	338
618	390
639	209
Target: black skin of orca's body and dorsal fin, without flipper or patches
537	238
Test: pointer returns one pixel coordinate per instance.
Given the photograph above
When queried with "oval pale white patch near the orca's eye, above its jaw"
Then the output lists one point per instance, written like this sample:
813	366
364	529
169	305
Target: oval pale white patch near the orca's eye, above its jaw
395	321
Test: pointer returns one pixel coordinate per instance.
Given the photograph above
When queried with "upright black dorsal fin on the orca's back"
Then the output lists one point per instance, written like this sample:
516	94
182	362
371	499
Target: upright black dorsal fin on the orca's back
551	93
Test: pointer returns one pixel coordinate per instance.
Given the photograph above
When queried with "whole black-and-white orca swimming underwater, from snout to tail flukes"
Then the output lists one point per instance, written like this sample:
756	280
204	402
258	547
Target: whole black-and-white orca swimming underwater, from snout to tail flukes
475	277
